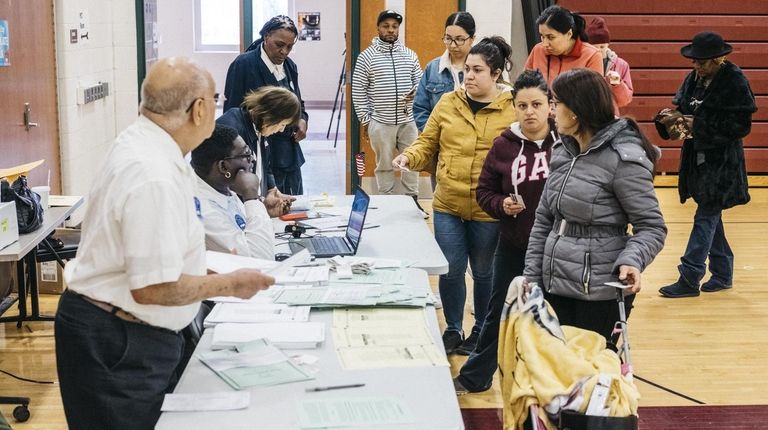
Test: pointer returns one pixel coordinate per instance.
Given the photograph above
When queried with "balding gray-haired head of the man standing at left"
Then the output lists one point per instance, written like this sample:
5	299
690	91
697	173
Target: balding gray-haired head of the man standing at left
171	96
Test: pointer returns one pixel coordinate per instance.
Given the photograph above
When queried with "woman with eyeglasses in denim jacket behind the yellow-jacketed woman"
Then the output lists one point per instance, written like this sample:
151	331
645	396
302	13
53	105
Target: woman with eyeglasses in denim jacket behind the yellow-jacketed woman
445	73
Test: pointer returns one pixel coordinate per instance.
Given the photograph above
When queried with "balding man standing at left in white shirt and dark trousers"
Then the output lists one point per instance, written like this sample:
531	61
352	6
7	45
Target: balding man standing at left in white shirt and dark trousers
140	273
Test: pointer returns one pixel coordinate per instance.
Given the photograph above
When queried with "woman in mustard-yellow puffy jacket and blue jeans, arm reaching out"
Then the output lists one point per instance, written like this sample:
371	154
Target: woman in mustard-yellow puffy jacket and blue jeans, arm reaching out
462	127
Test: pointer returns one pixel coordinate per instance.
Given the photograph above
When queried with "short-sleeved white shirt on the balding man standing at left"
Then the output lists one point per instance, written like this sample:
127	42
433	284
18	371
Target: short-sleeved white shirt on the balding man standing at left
142	226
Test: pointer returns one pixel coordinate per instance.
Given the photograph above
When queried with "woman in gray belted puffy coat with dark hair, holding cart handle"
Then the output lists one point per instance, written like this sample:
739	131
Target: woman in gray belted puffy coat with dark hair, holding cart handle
600	182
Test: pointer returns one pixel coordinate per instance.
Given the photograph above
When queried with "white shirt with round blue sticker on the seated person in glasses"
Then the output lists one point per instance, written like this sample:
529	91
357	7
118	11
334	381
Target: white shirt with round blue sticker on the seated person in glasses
235	227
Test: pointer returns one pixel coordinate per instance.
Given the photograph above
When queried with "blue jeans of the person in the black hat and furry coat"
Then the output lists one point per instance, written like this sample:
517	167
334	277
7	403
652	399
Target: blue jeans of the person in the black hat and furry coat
707	240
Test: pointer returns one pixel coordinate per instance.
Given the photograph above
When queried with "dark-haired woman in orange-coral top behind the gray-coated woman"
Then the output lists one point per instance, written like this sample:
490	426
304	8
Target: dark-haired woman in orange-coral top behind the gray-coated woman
562	46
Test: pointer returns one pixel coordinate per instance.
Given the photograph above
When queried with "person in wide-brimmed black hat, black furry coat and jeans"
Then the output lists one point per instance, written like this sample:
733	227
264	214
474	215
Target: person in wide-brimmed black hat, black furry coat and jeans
716	105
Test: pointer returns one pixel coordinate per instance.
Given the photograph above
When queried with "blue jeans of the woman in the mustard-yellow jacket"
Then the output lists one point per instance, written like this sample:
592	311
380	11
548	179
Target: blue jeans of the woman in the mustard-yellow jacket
460	241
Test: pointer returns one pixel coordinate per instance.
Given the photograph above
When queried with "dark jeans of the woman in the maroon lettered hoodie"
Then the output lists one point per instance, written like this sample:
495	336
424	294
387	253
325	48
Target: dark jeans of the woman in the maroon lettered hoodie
477	372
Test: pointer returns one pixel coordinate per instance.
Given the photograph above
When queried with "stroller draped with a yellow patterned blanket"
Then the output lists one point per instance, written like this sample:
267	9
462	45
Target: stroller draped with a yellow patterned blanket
563	410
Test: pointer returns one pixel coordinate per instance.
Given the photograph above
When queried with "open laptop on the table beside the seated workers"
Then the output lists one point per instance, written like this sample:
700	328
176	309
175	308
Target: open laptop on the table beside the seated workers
322	246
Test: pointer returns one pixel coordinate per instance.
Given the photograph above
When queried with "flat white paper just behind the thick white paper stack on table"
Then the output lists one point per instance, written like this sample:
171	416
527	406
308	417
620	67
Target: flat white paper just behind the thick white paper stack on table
256	313
